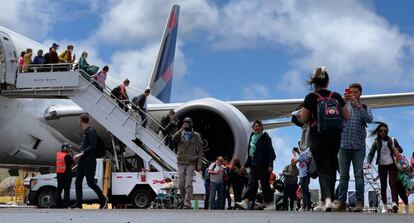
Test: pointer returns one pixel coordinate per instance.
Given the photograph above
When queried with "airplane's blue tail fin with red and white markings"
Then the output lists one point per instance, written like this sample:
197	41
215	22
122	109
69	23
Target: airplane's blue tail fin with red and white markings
161	78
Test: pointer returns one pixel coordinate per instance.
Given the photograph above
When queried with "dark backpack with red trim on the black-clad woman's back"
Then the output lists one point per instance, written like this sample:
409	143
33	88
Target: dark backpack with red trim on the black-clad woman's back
328	115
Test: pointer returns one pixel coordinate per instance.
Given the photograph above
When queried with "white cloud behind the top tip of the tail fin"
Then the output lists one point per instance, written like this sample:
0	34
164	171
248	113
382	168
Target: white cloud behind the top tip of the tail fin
138	22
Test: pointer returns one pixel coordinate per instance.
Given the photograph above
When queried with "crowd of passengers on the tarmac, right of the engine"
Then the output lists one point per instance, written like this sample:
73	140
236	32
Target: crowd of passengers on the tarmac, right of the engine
327	152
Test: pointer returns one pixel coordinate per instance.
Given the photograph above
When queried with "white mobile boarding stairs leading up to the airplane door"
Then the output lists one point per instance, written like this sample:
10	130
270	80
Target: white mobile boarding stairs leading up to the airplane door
102	106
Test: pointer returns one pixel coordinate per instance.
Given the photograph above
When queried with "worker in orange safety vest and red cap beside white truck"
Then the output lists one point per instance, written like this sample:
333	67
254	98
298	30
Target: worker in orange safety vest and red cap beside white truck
64	174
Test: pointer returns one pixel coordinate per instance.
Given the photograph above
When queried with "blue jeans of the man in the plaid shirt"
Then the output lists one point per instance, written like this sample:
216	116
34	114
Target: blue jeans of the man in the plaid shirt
345	157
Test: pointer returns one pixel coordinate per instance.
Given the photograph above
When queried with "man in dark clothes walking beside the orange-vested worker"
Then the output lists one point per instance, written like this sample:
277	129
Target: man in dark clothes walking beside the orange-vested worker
87	164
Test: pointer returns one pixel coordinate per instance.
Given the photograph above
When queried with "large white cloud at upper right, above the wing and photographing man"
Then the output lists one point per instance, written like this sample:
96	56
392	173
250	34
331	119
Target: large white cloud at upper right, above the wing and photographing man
355	43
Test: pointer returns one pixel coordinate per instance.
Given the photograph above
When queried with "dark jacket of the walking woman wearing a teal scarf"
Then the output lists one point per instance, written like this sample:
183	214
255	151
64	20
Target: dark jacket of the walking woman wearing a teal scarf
264	154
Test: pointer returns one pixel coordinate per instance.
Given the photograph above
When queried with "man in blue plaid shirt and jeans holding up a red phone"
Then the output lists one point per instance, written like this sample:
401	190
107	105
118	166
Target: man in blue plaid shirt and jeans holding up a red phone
353	148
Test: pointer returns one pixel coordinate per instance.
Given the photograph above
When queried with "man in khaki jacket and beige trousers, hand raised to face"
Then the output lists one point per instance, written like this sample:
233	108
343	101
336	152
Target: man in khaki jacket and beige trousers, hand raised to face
189	158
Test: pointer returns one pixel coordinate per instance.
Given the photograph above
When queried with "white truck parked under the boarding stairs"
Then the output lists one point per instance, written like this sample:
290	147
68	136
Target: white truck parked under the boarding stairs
137	189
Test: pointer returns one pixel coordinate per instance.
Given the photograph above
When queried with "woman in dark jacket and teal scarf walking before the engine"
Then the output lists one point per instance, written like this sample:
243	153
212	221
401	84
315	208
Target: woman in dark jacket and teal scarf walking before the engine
261	156
